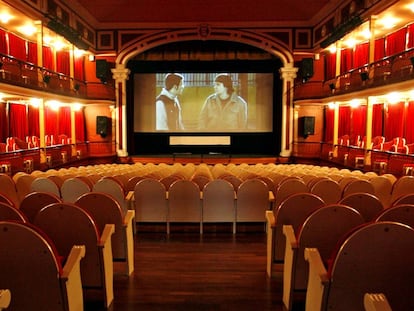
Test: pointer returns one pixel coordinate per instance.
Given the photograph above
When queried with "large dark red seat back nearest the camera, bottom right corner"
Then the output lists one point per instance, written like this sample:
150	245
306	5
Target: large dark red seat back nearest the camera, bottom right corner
377	258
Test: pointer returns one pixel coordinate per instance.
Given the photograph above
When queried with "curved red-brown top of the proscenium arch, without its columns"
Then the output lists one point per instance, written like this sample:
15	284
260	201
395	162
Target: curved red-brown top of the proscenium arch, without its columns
261	41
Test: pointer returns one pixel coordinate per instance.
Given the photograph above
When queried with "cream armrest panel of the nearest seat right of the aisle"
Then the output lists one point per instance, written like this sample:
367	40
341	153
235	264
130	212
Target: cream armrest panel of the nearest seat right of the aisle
318	281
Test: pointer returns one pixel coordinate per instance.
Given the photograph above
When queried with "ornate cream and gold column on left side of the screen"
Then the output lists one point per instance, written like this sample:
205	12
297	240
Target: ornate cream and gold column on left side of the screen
120	74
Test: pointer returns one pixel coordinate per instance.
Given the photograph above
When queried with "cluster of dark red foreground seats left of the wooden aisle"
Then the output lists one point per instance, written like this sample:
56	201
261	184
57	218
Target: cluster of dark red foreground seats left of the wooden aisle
103	236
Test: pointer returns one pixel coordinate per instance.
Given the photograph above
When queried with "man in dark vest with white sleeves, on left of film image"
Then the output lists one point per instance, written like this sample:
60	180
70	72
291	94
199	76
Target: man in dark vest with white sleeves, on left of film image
168	109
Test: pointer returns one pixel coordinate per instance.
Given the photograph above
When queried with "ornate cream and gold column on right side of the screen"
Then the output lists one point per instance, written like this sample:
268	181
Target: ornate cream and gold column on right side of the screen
288	74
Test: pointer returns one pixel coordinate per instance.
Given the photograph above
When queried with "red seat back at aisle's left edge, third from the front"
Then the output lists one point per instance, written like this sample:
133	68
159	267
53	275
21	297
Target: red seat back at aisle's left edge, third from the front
104	209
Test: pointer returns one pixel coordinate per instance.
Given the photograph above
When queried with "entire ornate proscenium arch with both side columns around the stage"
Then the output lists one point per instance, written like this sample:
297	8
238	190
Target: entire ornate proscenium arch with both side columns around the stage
206	32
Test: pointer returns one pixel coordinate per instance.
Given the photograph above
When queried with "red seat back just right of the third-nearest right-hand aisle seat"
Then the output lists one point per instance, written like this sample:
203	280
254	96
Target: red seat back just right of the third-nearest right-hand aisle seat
367	204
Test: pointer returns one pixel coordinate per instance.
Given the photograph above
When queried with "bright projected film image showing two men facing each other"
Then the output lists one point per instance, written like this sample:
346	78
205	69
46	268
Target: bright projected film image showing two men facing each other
203	102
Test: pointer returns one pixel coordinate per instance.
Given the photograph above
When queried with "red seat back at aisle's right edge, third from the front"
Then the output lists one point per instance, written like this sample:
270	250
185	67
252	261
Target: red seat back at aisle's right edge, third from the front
292	211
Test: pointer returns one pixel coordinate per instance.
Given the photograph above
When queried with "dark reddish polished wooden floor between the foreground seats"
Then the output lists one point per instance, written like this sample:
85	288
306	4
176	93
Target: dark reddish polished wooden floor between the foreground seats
188	271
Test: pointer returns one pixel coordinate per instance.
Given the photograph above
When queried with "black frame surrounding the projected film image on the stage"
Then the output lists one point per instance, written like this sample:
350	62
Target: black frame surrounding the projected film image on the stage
240	142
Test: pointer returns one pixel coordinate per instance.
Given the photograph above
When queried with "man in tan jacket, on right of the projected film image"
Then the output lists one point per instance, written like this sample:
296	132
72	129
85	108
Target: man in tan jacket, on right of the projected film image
223	110
